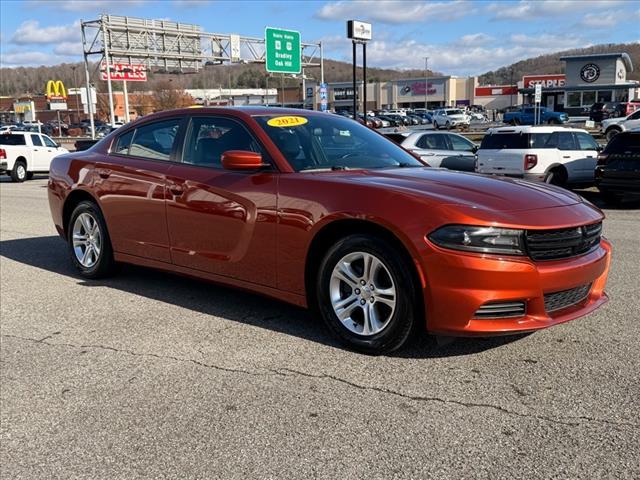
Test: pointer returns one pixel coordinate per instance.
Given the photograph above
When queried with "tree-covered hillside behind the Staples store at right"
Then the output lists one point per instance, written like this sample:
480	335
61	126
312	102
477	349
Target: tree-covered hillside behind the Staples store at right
547	64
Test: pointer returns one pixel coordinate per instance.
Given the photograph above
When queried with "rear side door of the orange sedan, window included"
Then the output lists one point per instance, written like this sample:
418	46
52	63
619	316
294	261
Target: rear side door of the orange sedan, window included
130	183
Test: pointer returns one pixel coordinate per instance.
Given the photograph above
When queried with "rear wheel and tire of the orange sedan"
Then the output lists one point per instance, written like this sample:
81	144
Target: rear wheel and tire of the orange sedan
100	262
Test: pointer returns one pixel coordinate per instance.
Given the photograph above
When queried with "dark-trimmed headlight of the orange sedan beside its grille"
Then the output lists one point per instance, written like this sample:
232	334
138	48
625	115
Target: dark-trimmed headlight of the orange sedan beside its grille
480	239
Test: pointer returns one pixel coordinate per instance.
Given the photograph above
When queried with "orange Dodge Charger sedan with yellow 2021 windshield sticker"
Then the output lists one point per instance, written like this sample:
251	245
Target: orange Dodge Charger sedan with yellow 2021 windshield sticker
319	211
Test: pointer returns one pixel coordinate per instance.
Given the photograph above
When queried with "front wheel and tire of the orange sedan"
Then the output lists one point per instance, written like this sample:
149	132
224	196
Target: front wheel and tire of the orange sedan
391	314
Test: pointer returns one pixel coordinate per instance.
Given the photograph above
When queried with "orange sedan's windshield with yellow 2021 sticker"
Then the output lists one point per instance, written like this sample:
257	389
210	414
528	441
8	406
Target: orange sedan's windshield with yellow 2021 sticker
328	142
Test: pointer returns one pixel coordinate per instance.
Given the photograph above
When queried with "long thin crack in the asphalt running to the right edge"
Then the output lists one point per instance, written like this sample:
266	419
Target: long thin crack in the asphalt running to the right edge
568	421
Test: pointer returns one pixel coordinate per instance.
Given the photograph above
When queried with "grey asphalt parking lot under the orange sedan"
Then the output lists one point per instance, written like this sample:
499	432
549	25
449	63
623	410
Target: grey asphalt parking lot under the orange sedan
150	374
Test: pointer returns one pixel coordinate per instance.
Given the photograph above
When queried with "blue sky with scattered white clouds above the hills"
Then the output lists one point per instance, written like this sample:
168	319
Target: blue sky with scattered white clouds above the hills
460	37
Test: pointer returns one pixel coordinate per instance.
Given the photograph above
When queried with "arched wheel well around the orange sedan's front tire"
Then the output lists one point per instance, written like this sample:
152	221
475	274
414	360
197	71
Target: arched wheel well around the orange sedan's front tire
338	229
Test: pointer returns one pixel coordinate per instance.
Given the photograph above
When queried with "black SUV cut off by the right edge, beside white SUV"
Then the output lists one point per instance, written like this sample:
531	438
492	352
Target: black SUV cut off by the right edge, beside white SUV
618	169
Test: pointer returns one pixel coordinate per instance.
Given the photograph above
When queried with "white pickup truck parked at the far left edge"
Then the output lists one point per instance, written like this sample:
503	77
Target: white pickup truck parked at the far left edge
24	153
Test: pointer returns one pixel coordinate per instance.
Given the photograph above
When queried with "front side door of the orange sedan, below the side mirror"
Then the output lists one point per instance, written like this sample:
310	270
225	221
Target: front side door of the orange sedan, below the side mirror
222	221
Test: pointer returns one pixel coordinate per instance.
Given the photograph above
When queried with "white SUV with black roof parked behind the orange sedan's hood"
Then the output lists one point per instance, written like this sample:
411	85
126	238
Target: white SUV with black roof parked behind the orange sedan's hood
558	155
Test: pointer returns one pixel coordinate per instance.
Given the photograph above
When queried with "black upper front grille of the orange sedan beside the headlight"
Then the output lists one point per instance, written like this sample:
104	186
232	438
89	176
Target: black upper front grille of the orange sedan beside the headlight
562	243
